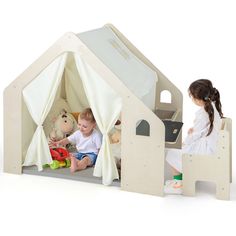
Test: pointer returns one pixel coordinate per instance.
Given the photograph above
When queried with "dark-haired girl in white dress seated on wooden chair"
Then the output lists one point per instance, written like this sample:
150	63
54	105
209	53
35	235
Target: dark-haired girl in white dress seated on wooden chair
202	137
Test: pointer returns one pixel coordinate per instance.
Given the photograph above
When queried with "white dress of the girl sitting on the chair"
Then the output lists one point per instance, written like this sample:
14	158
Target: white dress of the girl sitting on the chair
197	142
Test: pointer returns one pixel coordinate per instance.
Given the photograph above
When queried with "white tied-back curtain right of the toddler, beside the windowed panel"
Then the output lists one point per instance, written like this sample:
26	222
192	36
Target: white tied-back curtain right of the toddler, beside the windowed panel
106	106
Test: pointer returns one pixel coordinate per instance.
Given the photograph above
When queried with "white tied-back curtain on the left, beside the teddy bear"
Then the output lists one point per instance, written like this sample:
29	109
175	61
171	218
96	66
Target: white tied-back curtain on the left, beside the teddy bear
39	96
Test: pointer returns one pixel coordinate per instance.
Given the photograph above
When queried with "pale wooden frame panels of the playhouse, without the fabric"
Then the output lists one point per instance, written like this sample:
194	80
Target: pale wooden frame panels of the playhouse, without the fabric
141	170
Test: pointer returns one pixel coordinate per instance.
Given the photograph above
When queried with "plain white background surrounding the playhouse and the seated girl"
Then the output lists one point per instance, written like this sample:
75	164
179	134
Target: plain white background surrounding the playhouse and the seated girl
186	40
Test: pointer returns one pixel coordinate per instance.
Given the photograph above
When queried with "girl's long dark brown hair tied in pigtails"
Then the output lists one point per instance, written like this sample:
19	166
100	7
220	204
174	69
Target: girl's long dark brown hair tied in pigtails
203	89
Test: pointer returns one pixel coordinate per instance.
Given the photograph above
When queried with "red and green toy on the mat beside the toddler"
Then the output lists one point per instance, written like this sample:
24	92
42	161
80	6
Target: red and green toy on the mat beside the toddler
60	157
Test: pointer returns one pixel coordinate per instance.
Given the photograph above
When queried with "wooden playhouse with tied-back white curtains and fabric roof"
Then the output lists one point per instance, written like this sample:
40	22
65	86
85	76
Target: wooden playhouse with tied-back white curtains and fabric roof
103	70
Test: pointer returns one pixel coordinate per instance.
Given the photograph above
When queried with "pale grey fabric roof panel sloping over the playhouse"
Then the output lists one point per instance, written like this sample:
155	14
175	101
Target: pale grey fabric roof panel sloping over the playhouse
135	74
